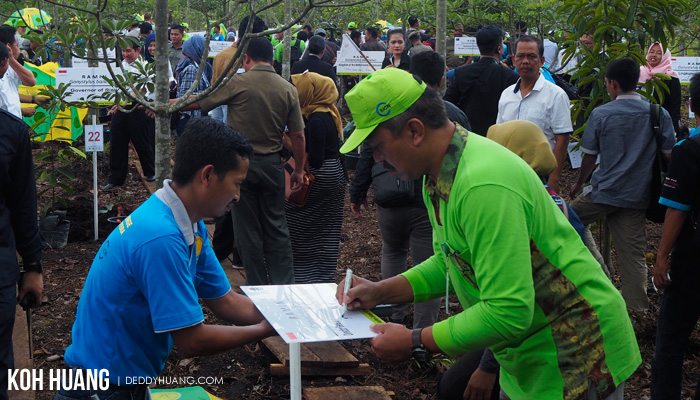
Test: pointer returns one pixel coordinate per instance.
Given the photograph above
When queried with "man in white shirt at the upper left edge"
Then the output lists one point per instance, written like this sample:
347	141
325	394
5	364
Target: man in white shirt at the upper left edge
17	74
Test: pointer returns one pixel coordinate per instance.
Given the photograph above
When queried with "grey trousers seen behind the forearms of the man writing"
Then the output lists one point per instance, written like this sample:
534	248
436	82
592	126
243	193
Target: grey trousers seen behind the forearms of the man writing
405	228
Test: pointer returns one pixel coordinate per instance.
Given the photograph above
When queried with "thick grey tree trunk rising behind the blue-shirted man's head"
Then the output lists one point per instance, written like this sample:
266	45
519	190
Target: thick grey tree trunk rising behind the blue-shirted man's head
161	94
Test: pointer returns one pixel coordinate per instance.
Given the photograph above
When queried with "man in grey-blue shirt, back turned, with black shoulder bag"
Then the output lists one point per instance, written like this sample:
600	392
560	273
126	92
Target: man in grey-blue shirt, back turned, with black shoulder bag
621	133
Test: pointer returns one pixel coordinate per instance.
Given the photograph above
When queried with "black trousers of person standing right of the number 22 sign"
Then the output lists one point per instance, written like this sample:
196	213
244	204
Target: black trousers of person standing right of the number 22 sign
137	128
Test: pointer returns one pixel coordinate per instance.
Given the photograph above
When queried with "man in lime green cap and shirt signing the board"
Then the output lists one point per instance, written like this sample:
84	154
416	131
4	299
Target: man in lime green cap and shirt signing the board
530	290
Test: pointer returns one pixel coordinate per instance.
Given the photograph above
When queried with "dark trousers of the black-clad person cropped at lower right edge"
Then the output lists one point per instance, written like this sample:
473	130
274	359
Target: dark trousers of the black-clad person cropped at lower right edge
678	316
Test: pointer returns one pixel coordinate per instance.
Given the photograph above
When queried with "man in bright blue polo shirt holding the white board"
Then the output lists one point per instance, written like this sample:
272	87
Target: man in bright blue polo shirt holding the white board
141	294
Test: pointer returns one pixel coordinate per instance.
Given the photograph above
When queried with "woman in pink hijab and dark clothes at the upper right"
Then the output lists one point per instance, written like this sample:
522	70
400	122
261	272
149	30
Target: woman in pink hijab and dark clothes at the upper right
659	61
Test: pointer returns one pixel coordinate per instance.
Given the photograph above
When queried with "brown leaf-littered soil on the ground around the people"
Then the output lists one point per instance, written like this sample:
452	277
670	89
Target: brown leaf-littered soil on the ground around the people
245	371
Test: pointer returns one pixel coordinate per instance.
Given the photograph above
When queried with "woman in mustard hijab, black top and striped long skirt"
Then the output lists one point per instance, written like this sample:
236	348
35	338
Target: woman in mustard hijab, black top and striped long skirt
314	229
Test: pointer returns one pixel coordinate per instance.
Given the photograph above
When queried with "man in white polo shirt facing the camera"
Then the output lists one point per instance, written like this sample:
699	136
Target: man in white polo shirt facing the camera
535	99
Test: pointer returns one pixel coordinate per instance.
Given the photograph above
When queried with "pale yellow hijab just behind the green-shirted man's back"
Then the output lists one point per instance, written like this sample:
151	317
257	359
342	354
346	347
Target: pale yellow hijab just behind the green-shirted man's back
527	141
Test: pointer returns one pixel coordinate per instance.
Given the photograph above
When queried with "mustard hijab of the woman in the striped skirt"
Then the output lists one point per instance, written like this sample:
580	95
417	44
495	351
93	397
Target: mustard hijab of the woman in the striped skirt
317	93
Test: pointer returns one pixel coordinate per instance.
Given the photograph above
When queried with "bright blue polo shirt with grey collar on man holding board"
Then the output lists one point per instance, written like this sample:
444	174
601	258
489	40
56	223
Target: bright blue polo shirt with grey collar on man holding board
144	282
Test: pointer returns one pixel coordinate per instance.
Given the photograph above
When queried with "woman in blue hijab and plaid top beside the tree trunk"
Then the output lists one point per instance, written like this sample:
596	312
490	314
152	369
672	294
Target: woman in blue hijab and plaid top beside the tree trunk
186	72
